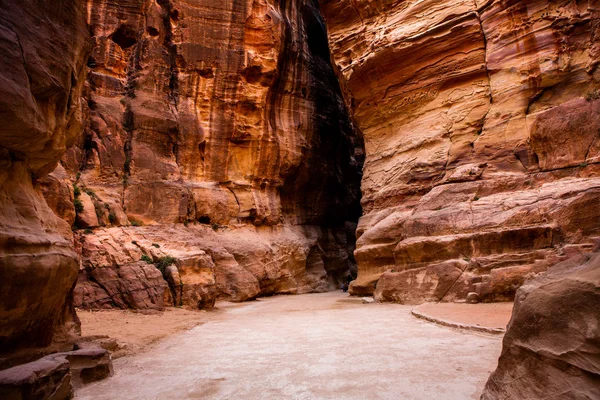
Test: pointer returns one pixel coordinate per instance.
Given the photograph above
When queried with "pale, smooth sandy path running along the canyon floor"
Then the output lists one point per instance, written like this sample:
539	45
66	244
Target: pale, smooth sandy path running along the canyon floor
319	346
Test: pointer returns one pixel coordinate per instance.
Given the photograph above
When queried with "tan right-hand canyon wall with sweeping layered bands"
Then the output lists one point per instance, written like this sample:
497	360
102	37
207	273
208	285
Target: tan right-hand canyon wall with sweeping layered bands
480	122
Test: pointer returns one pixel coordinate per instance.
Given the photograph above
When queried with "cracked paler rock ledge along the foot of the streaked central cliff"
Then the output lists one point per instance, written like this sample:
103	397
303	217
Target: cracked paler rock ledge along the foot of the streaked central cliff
236	263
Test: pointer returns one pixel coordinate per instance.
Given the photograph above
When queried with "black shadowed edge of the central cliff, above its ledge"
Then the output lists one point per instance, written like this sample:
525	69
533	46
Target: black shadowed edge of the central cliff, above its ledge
330	174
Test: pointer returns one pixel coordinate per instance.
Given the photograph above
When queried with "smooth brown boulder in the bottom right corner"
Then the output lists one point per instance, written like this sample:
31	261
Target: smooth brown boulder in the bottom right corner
552	344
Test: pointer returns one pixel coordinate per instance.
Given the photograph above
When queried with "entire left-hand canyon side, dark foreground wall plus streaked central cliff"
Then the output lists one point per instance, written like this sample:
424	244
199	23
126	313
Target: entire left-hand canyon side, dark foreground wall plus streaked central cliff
165	152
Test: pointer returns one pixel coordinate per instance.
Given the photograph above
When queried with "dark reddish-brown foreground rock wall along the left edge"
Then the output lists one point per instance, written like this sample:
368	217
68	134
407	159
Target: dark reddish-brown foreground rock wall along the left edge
44	47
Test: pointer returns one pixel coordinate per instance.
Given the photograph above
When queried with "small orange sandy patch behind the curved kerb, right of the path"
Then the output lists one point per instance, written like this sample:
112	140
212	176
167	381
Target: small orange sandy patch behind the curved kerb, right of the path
483	317
